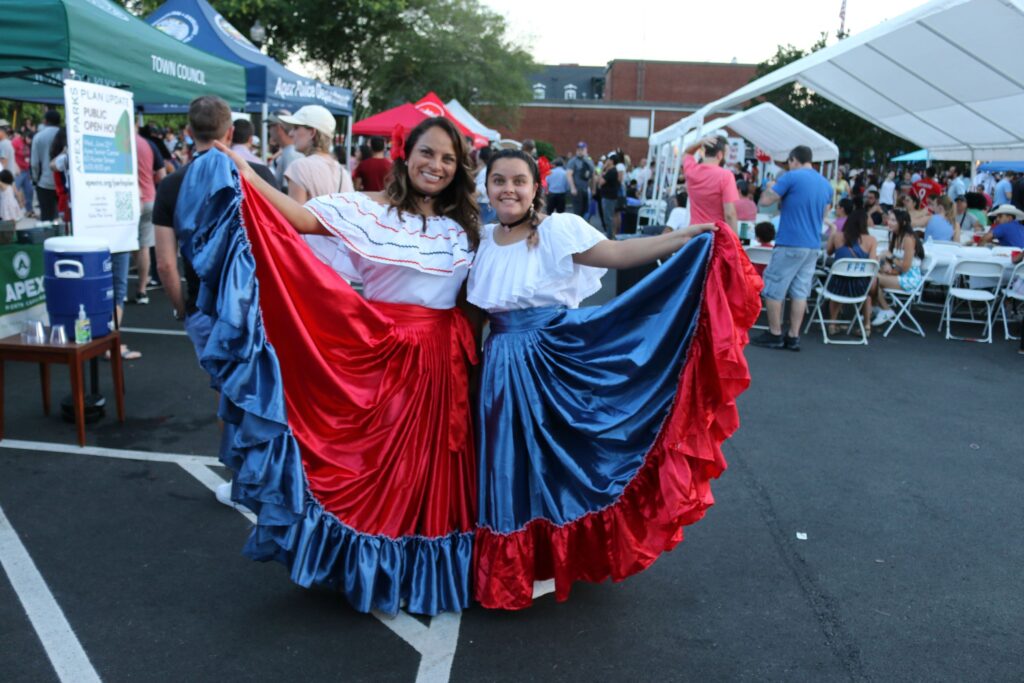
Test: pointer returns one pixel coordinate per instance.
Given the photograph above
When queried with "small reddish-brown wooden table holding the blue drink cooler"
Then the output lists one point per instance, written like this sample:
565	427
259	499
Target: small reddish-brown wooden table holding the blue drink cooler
73	356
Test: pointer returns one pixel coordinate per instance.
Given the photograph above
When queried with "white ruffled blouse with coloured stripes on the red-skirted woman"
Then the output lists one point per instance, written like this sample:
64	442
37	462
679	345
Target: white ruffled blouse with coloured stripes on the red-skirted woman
393	255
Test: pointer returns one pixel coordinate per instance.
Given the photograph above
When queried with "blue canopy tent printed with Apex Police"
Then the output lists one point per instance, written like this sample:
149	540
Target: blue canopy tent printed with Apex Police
269	84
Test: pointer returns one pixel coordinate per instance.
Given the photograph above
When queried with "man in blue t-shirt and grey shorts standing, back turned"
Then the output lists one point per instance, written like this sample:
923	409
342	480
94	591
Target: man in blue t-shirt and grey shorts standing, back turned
805	198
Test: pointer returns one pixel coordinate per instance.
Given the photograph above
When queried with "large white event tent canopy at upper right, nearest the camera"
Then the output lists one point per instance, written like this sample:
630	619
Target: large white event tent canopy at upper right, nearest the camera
945	76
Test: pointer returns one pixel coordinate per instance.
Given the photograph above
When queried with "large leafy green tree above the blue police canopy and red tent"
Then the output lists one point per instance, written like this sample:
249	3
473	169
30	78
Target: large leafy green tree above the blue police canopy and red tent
391	52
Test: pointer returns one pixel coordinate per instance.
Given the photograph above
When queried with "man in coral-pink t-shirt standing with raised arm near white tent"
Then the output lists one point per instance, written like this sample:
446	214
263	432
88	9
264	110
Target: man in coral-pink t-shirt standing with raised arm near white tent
712	190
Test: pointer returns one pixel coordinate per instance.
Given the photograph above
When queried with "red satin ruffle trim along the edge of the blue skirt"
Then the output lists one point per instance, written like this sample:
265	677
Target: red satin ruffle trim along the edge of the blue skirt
672	489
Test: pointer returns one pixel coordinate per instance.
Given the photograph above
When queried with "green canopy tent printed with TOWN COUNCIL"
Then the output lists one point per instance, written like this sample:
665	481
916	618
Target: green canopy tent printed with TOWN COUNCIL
101	42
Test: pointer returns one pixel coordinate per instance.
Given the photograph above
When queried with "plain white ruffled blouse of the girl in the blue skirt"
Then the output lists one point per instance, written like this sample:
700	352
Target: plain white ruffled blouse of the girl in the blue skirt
517	276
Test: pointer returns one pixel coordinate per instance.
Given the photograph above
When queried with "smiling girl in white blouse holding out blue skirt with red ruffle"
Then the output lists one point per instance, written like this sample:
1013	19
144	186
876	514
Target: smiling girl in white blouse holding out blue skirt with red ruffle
600	428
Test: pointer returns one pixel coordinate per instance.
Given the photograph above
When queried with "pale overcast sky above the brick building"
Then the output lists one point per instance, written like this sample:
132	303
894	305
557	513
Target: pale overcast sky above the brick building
595	33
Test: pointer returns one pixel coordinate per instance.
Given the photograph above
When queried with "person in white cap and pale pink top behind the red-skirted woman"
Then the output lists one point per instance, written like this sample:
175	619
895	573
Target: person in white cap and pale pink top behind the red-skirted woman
317	174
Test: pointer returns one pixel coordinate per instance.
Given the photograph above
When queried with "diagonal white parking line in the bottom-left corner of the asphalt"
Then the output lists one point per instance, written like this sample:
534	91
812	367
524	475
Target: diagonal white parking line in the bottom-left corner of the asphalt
62	646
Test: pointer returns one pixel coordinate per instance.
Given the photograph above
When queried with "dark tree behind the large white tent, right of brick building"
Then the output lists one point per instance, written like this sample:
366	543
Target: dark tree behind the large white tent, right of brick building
860	143
